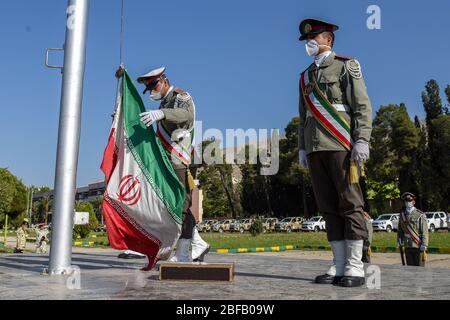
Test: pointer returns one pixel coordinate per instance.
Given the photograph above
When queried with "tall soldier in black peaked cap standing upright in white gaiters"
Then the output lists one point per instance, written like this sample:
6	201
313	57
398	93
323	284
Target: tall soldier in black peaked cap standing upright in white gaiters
334	131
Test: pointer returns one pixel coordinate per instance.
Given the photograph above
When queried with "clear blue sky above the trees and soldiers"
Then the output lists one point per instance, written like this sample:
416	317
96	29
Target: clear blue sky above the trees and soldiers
239	59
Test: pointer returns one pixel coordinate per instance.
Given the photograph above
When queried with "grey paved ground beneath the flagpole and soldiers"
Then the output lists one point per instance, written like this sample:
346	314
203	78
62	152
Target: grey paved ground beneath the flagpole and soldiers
284	276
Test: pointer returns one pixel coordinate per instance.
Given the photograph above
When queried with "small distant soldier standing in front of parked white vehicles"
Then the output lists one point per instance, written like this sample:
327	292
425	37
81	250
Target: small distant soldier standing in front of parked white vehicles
412	233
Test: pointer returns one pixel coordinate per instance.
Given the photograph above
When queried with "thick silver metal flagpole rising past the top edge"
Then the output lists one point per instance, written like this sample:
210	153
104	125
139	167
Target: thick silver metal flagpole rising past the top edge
68	136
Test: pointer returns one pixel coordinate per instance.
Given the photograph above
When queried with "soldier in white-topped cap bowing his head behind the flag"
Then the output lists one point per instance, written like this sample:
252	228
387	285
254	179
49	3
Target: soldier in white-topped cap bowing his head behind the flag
175	122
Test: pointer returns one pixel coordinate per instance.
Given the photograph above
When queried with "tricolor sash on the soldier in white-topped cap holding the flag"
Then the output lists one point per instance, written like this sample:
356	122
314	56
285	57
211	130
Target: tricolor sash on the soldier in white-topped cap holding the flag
177	150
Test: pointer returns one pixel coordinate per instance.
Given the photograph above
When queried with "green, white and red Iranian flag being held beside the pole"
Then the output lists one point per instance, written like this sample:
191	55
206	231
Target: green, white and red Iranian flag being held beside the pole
144	198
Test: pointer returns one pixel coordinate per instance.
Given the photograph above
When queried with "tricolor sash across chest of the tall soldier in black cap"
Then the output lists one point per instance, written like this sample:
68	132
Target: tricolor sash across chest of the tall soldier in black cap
324	112
